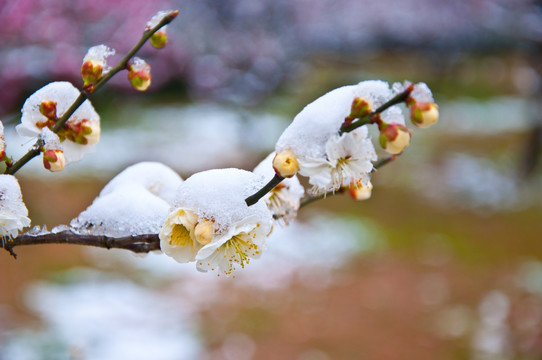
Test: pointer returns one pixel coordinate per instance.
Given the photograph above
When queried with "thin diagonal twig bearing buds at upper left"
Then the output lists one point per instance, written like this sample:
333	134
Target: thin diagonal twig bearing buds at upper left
34	151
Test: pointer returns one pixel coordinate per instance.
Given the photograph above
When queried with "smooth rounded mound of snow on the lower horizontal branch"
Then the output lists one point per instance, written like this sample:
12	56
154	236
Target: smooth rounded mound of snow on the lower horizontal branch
136	201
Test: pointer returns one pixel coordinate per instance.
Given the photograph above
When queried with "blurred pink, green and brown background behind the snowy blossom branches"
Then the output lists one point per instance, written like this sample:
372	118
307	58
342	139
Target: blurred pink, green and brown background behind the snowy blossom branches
443	262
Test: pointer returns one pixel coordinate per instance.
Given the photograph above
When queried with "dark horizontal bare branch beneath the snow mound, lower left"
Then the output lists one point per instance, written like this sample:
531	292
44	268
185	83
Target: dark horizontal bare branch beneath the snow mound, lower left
136	243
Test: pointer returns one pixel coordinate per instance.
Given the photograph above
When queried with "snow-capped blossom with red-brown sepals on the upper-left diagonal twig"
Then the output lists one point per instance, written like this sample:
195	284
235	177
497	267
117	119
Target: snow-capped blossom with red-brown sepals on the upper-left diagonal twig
42	109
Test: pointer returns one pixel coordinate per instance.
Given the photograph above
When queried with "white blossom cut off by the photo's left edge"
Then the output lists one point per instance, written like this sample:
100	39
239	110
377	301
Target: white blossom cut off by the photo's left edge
13	212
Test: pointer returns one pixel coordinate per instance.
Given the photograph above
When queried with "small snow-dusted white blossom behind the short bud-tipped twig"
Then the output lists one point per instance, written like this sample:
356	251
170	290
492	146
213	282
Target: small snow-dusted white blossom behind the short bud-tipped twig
284	200
